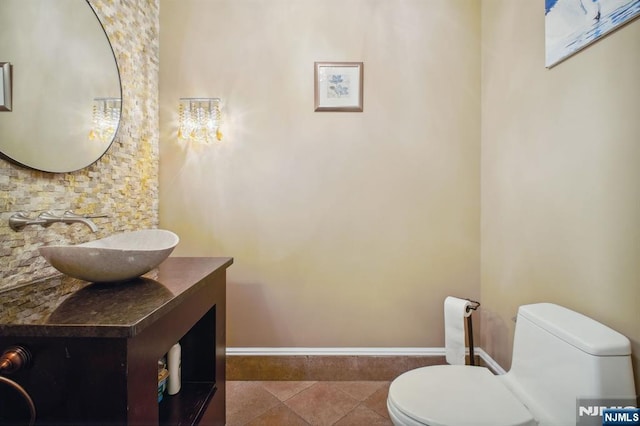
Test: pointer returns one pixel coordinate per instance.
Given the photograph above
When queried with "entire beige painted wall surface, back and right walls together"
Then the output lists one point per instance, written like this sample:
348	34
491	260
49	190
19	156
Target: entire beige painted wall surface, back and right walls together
349	229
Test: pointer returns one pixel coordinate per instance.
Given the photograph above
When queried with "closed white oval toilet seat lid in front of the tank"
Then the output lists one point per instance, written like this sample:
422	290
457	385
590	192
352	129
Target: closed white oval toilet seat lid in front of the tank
447	395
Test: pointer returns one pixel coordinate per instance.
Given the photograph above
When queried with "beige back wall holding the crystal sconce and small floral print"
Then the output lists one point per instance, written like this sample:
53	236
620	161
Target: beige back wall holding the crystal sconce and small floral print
348	229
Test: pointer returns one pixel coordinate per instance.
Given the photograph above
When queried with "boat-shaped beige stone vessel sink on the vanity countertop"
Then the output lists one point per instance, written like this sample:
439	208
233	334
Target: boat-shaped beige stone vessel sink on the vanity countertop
116	258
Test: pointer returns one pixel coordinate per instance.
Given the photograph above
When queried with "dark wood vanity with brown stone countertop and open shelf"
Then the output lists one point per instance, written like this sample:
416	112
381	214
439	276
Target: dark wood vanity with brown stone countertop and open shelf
96	346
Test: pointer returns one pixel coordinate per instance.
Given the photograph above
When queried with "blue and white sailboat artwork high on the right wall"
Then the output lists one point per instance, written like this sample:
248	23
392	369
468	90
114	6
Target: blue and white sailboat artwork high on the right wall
572	25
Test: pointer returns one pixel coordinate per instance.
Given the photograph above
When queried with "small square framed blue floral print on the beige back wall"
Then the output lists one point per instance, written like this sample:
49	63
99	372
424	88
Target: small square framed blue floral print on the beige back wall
338	86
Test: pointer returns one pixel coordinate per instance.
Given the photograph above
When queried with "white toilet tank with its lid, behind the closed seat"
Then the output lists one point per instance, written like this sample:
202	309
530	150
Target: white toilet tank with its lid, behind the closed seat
560	356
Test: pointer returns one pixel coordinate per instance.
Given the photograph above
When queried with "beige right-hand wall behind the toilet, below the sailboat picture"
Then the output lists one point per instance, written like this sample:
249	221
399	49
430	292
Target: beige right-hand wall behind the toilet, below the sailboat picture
560	176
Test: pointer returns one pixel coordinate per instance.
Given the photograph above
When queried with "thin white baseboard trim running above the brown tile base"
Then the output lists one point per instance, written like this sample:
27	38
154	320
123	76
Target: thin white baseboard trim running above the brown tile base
292	351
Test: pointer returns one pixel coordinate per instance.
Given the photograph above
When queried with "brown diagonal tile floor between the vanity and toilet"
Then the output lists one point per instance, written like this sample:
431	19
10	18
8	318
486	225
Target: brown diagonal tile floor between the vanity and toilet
325	403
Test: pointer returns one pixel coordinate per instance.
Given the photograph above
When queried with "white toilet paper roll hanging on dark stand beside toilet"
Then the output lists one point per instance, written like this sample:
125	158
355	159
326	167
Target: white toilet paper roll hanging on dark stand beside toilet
455	311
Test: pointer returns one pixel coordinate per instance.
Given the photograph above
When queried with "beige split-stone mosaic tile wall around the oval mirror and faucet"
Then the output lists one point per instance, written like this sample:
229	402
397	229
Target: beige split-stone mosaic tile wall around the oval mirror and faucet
123	183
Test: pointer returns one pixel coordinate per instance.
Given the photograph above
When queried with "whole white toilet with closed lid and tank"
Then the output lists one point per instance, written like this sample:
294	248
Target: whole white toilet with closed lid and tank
558	356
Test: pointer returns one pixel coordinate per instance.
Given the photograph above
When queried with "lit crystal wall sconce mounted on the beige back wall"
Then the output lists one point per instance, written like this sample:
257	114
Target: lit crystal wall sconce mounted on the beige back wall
200	119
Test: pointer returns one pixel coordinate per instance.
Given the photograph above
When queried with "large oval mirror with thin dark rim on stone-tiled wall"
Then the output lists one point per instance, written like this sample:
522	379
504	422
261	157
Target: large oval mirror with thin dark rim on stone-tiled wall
65	85
